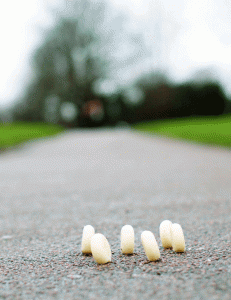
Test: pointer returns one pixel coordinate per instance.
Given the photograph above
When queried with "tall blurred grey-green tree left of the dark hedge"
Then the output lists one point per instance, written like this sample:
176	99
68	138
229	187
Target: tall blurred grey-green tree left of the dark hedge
80	48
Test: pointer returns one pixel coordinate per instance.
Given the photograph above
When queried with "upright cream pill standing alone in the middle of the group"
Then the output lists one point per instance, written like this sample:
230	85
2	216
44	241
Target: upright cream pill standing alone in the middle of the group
127	239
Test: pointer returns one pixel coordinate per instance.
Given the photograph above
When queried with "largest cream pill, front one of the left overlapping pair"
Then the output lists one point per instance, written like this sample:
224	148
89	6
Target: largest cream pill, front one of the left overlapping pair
100	249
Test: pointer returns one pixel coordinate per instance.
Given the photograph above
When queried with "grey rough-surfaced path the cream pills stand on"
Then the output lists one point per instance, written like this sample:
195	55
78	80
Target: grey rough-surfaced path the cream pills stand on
51	188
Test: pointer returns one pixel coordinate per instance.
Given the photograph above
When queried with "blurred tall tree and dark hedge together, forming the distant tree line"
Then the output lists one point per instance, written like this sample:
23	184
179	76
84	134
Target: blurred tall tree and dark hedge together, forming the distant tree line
79	55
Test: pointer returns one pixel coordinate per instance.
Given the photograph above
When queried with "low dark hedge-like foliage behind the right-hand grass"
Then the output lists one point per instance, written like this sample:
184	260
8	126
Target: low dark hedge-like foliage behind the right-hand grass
165	100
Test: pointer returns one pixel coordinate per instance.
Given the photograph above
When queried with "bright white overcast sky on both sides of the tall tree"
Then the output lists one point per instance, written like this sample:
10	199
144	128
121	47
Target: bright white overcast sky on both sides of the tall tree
193	35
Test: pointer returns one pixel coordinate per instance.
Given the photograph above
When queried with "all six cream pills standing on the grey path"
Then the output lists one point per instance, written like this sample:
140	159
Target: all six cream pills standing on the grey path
96	243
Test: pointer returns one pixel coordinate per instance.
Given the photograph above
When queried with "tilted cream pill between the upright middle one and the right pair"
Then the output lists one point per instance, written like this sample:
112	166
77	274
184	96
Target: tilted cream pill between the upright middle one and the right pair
150	245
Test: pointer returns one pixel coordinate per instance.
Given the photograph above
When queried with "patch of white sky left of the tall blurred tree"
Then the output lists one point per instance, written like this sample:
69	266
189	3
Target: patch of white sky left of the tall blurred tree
19	38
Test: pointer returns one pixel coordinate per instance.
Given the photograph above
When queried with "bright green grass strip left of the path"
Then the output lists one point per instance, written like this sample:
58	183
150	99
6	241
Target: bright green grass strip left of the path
12	134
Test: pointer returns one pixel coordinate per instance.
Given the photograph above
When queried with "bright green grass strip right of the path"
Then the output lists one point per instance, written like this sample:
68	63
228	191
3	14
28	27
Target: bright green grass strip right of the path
206	130
